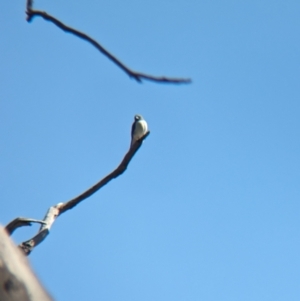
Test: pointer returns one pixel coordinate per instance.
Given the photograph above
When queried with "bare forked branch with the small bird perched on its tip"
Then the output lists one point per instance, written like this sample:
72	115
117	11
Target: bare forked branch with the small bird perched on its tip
54	211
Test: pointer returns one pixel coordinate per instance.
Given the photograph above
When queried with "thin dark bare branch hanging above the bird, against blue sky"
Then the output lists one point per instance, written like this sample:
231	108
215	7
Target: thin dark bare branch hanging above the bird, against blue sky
138	76
